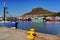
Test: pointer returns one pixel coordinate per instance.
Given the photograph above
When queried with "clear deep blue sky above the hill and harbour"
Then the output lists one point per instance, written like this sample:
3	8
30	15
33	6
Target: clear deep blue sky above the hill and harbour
20	7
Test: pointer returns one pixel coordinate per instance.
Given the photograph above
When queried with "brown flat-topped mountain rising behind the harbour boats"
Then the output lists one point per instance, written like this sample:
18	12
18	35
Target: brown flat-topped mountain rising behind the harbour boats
38	12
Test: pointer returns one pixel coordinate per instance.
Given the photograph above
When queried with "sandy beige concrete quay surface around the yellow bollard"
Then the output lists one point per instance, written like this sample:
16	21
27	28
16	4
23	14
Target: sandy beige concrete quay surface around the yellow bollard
10	34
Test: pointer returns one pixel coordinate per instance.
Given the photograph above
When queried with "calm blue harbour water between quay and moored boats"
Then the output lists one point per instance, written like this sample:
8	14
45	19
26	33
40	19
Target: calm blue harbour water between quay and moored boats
45	27
